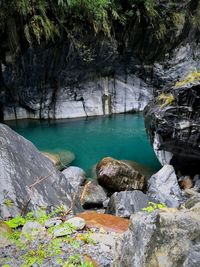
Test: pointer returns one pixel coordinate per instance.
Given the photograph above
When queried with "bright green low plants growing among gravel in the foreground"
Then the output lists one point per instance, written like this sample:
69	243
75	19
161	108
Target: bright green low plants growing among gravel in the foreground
36	250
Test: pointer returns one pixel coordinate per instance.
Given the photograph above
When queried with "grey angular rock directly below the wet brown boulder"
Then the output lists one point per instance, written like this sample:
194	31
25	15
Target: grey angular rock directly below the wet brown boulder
124	204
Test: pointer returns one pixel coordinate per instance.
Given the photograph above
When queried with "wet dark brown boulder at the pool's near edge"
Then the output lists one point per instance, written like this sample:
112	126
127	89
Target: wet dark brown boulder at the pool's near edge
116	175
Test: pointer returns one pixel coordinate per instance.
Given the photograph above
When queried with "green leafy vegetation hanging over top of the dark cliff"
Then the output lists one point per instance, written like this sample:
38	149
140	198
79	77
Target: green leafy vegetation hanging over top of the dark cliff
46	20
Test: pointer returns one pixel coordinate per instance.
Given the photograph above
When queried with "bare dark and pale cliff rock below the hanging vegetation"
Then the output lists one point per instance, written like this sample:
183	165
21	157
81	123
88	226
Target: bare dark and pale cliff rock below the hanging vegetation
114	75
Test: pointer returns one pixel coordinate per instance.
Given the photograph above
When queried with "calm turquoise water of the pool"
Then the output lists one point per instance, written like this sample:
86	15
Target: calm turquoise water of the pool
121	136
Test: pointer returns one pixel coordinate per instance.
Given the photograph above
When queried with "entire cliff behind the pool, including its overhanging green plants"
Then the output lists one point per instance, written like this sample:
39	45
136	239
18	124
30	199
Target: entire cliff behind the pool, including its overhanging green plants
92	59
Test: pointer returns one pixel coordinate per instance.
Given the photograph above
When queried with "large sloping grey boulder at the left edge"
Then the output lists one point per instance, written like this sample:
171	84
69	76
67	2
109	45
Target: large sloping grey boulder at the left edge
27	178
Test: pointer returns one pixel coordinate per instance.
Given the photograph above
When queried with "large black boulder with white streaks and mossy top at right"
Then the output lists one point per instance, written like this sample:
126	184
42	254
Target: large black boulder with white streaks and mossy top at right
172	122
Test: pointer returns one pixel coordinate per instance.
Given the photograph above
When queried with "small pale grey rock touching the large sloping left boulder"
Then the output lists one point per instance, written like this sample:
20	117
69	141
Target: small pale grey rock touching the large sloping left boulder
75	176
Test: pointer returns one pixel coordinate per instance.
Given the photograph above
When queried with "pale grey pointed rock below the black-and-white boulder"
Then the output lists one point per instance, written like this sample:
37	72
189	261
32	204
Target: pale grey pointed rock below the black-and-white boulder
163	187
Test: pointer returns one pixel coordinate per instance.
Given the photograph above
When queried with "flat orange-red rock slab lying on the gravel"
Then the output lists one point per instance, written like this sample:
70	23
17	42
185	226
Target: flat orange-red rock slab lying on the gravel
106	221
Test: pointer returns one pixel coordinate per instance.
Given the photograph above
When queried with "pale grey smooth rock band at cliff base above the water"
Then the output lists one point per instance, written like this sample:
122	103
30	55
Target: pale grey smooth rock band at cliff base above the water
90	97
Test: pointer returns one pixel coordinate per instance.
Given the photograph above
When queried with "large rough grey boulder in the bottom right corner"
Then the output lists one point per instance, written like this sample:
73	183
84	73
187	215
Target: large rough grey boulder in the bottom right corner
167	238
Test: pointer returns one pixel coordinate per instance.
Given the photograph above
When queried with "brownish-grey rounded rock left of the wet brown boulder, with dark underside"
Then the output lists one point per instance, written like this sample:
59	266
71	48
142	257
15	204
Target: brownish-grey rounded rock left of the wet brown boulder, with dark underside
92	196
